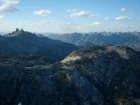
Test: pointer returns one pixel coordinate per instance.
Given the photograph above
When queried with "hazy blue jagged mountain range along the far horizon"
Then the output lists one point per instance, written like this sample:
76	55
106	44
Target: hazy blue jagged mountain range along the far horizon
86	40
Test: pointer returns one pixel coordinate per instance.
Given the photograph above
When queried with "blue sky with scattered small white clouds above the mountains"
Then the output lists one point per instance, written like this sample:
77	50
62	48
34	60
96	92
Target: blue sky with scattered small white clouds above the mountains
68	16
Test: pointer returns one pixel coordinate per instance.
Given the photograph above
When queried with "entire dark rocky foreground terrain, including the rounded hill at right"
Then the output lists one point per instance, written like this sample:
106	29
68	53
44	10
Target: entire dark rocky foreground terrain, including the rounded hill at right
102	75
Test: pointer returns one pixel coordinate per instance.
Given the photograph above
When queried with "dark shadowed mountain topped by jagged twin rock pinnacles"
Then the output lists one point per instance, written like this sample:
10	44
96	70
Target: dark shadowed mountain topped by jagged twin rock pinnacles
21	42
